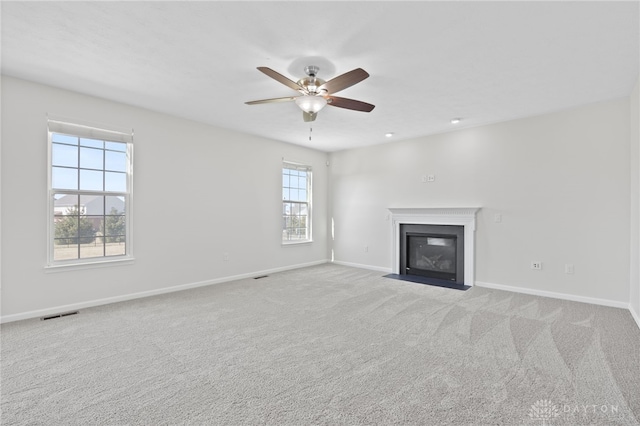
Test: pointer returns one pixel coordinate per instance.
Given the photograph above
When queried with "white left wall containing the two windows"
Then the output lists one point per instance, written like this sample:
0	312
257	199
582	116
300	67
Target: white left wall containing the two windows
199	191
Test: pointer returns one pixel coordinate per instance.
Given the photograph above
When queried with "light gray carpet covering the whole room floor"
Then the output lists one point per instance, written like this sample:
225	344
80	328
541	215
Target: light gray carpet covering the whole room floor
325	345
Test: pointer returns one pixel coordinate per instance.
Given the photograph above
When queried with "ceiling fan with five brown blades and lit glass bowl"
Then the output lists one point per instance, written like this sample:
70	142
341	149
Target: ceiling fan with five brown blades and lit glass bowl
316	93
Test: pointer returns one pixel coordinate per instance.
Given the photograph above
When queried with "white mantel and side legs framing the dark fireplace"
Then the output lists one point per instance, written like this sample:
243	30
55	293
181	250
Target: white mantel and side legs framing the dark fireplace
461	216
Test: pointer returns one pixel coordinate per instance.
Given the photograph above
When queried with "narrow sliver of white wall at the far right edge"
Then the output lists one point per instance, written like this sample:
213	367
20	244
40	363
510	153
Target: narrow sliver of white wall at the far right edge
634	294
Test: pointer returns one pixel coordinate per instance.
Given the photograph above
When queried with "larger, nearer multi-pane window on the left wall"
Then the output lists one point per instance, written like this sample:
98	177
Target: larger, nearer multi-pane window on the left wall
89	194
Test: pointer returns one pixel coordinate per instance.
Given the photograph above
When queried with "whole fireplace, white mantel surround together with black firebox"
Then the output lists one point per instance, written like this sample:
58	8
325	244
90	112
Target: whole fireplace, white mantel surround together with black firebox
438	233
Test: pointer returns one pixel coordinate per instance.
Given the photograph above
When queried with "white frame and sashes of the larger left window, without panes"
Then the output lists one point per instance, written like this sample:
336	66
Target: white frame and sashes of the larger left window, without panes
80	129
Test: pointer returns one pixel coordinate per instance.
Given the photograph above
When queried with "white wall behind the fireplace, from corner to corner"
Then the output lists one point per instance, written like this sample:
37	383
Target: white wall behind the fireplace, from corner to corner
561	182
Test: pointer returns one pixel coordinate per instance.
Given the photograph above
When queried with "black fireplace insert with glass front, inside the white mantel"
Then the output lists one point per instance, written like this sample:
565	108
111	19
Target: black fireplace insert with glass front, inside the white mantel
432	251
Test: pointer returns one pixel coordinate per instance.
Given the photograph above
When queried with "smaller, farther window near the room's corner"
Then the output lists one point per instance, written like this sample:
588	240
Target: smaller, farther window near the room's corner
296	203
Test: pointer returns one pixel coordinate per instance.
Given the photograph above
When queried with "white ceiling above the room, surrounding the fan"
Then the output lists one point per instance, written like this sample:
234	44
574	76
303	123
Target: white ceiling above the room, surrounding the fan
429	61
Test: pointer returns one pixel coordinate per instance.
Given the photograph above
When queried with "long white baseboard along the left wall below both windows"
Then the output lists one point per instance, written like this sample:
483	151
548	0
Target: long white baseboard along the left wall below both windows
90	303
